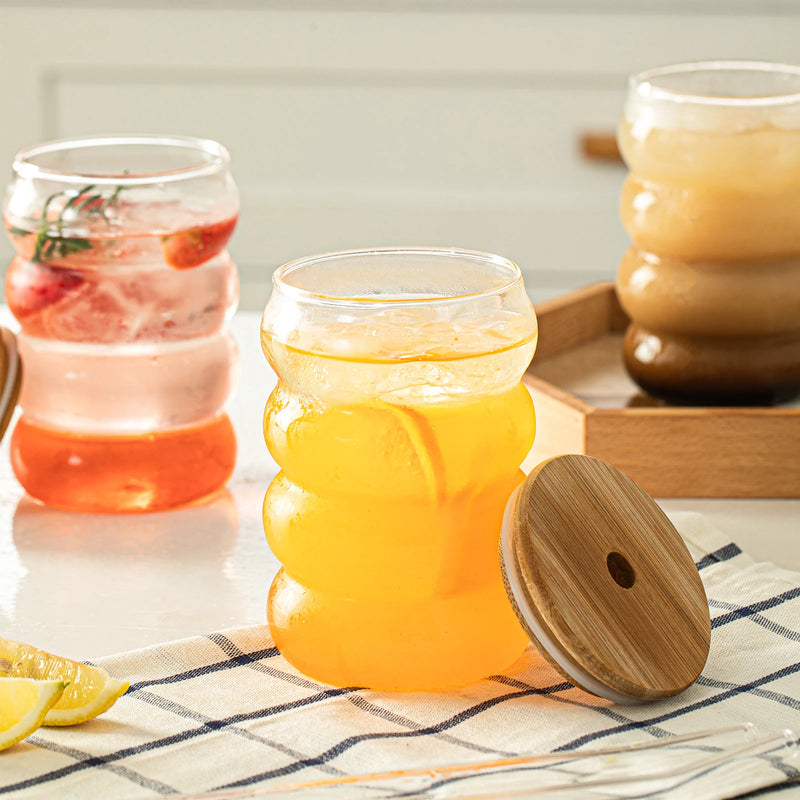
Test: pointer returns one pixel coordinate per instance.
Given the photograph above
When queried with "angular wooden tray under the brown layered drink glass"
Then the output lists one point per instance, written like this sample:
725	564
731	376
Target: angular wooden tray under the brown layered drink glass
586	403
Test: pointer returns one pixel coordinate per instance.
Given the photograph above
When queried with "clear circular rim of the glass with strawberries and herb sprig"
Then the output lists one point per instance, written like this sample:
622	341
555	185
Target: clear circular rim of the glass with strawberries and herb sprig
25	167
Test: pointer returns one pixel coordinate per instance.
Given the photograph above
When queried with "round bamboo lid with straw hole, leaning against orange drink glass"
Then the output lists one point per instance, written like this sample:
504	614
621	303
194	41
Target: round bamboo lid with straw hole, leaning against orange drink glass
603	583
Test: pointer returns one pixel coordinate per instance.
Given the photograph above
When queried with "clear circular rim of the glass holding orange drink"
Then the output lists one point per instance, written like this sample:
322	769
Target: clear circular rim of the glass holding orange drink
341	301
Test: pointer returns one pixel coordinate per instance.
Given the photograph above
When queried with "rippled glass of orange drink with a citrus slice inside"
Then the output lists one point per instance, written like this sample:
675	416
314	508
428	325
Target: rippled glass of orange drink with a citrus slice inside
399	423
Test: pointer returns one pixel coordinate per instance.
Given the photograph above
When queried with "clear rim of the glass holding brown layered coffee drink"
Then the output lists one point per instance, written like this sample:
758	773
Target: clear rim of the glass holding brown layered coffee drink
641	83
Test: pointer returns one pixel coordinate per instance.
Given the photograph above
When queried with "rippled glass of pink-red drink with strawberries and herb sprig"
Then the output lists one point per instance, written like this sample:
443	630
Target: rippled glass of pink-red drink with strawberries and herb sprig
122	285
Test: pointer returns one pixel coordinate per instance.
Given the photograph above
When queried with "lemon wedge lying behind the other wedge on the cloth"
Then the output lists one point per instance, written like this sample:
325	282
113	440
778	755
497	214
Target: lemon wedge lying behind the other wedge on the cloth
91	690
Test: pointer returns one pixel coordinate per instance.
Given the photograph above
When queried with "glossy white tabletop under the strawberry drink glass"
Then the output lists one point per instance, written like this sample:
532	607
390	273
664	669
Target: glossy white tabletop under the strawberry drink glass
87	585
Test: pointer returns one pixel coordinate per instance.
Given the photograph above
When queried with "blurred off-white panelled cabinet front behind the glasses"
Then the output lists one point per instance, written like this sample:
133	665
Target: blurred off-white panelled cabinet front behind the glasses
374	123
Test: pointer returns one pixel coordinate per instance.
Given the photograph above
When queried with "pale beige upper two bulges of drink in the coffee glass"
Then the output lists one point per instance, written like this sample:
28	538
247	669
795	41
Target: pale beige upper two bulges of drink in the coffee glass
712	194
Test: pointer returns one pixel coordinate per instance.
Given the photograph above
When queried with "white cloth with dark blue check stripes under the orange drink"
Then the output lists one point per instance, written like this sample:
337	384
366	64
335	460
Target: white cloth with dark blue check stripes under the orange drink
225	713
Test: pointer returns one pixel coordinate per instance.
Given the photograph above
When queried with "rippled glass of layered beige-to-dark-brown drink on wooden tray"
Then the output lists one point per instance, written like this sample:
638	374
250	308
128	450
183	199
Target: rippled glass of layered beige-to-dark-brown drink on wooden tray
712	204
